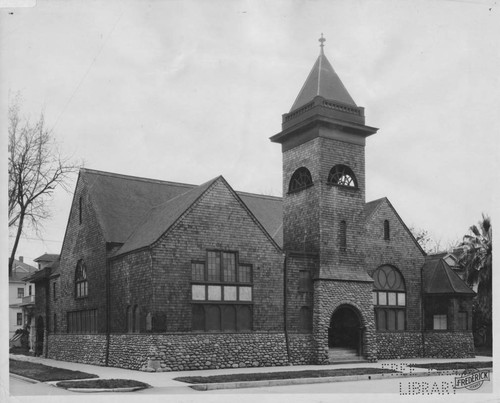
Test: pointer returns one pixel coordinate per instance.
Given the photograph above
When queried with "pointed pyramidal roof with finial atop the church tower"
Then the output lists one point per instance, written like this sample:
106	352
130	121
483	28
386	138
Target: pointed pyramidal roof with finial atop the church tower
323	81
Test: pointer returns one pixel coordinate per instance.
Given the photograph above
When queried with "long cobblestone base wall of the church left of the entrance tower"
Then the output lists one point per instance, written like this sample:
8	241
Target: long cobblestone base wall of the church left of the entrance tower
181	352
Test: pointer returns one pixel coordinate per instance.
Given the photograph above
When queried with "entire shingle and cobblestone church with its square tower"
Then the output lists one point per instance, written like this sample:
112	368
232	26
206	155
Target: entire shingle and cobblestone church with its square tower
158	276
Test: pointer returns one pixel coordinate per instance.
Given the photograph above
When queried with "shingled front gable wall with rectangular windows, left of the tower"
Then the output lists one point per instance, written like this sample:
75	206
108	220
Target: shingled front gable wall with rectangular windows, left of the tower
187	276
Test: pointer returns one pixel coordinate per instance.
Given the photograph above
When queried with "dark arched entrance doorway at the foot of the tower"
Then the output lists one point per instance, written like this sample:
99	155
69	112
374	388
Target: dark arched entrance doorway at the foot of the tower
345	334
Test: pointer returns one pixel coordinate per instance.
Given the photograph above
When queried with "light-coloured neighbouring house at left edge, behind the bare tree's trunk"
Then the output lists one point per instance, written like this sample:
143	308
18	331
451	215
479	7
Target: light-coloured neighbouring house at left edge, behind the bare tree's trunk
21	292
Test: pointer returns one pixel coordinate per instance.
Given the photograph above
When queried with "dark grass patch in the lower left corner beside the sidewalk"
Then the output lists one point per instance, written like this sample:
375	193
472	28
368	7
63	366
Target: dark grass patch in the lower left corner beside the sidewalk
45	373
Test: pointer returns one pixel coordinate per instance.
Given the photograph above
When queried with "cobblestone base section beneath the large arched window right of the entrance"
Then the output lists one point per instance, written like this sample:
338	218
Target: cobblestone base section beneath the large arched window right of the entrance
398	345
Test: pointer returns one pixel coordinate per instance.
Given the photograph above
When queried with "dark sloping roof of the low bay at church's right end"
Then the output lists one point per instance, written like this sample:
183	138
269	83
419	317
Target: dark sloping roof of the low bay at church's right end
440	278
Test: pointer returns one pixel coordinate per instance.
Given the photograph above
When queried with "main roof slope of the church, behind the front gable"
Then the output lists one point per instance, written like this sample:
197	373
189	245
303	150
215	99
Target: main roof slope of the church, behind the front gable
124	203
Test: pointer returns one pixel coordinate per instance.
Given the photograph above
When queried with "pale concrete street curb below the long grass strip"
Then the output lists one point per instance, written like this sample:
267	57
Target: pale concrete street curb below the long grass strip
305	381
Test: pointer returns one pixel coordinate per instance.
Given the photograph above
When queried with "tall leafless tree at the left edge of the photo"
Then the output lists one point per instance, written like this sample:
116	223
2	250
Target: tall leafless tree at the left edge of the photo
35	169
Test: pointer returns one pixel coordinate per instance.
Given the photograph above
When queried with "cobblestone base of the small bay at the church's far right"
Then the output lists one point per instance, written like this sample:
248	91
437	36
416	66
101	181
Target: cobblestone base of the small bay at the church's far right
442	344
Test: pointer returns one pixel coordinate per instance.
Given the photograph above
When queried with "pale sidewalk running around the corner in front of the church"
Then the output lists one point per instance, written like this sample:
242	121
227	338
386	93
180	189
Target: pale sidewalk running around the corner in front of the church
166	379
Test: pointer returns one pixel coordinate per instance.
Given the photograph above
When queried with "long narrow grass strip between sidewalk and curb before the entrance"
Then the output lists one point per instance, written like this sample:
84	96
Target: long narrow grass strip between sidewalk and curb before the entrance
283	375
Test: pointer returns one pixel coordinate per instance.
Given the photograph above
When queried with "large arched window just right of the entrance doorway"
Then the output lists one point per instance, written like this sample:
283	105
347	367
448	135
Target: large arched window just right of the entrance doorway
389	299
